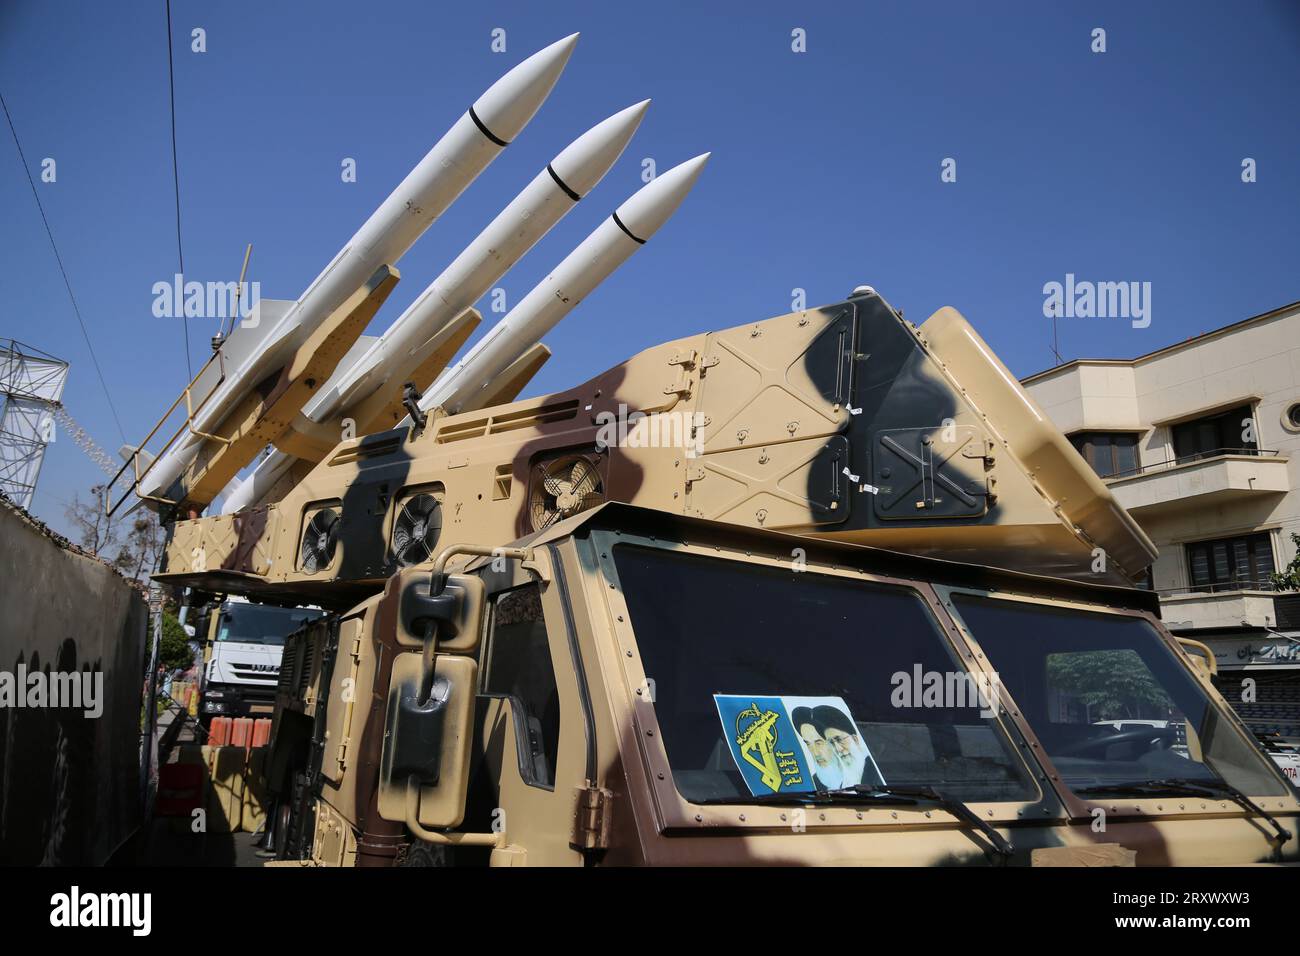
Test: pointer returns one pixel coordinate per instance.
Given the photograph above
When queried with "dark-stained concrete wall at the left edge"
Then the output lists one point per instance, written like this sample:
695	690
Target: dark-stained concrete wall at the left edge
70	785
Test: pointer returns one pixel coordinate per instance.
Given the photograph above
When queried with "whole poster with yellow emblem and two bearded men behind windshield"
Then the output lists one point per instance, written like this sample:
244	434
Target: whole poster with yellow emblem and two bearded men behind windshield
796	745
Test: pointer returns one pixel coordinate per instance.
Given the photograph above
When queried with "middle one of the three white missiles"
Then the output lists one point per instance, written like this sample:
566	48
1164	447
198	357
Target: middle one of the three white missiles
366	390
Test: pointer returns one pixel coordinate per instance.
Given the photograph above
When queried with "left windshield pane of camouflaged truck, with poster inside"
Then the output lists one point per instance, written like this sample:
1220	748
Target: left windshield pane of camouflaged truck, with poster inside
712	630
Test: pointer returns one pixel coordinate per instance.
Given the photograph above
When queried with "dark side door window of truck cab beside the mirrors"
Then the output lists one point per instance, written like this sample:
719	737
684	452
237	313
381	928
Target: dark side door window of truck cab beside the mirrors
521	669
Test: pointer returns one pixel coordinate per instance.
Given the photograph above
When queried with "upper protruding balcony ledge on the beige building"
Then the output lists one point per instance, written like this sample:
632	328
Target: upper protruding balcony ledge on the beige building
1168	487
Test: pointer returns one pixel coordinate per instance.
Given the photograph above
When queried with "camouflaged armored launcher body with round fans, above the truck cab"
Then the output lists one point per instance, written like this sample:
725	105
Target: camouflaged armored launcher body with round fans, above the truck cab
842	422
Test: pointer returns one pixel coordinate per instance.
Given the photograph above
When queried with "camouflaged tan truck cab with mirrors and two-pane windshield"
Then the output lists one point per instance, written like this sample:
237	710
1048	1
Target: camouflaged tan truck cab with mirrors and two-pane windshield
638	689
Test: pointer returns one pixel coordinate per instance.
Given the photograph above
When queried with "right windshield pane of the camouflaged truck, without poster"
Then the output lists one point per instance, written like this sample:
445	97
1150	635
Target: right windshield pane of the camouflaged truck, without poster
1112	706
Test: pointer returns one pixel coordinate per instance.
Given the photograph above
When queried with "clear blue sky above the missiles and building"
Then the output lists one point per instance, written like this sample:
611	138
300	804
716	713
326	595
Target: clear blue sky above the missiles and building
1124	166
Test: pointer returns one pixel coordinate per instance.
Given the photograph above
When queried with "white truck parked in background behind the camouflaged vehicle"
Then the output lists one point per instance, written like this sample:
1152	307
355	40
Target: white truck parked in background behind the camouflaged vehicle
245	643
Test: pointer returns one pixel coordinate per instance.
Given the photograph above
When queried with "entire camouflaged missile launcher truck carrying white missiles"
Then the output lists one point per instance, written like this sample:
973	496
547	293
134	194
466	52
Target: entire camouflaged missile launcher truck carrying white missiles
824	589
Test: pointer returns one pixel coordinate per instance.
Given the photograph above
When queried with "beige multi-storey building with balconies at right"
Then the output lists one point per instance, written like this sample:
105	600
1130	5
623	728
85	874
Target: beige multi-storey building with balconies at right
1201	442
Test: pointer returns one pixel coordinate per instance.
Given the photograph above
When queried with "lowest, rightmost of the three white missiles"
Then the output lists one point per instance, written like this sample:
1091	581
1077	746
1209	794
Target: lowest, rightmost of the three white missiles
599	256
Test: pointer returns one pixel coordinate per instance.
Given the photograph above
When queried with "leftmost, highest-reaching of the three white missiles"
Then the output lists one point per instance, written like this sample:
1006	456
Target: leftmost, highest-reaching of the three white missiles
447	171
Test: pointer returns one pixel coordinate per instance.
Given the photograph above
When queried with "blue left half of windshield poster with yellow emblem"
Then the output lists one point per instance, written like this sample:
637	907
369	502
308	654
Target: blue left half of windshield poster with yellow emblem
764	745
